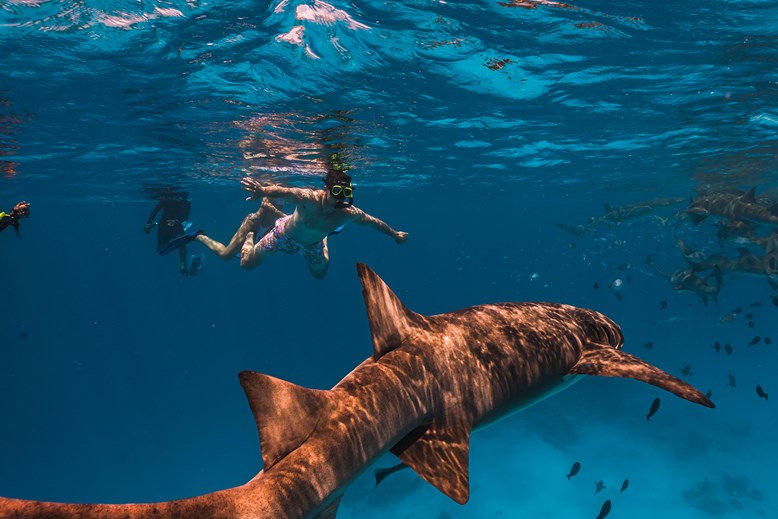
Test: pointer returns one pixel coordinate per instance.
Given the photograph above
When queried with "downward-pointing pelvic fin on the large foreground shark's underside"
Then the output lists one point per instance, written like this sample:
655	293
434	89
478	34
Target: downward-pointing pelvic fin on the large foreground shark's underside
440	454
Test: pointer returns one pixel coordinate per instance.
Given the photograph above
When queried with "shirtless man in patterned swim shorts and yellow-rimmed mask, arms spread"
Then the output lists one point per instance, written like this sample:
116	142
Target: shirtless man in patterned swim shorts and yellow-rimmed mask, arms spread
318	213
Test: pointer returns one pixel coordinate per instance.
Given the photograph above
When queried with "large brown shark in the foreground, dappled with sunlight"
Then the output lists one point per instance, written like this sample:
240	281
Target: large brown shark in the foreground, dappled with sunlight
430	382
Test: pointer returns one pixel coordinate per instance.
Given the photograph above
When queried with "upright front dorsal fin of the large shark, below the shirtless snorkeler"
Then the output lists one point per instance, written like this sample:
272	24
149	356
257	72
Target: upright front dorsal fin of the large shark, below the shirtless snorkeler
391	322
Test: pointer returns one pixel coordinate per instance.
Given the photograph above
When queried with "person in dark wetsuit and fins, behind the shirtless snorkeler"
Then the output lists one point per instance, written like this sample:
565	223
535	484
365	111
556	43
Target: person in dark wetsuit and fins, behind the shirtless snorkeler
172	229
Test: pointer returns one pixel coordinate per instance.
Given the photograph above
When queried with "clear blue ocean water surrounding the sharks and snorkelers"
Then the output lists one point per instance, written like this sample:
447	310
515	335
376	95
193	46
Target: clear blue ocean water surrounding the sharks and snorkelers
477	127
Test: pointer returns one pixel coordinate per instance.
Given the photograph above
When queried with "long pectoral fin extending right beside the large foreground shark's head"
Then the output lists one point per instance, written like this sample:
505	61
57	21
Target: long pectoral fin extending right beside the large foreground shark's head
604	361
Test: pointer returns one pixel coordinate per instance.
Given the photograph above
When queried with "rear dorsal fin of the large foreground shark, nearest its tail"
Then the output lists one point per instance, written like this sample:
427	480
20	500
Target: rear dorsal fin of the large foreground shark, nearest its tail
285	413
